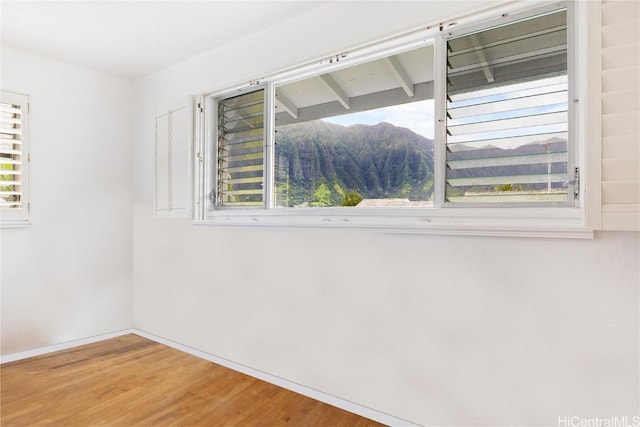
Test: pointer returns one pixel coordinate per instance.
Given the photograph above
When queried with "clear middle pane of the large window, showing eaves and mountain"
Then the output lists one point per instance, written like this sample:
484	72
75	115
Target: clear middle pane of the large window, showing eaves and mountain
361	136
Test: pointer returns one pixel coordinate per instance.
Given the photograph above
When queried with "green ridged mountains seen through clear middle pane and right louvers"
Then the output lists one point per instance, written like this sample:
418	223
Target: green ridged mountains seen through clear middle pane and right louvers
318	162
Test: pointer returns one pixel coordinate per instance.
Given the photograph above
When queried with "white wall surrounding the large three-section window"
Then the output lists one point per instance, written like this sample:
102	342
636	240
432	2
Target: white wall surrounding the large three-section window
434	329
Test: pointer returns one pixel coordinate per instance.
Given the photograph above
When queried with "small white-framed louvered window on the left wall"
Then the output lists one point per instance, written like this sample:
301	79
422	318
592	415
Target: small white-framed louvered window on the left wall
14	158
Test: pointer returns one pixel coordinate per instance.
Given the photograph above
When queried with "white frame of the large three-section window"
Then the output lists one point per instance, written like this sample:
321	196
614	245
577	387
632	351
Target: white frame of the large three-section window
450	220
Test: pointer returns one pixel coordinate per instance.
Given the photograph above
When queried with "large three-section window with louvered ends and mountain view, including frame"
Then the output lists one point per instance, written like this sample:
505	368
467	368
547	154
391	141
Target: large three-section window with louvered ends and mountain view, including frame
464	118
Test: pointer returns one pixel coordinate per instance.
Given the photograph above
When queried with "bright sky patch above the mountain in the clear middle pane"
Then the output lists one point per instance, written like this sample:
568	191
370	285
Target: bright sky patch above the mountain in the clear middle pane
417	116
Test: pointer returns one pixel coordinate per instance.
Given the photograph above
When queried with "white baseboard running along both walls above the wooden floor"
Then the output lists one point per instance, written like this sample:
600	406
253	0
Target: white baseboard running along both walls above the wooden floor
352	407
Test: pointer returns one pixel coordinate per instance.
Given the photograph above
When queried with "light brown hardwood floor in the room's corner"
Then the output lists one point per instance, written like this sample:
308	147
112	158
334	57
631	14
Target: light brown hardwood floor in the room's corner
132	381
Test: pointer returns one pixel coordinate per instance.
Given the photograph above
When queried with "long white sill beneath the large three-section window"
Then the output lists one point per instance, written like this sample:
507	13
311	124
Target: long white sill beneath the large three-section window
513	222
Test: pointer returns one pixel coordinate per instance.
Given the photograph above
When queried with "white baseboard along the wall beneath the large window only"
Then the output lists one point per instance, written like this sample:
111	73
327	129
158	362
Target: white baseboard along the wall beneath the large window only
352	407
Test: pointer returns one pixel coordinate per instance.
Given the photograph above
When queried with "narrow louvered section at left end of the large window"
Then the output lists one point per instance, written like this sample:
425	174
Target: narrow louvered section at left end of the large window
241	150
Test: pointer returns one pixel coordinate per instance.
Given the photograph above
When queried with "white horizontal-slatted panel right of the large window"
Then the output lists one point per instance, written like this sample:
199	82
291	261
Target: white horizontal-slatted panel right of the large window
620	115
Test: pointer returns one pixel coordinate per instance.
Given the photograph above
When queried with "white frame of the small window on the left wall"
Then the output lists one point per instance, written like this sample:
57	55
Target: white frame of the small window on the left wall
12	217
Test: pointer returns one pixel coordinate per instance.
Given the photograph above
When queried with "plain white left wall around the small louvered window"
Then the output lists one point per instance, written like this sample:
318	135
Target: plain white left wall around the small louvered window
68	276
